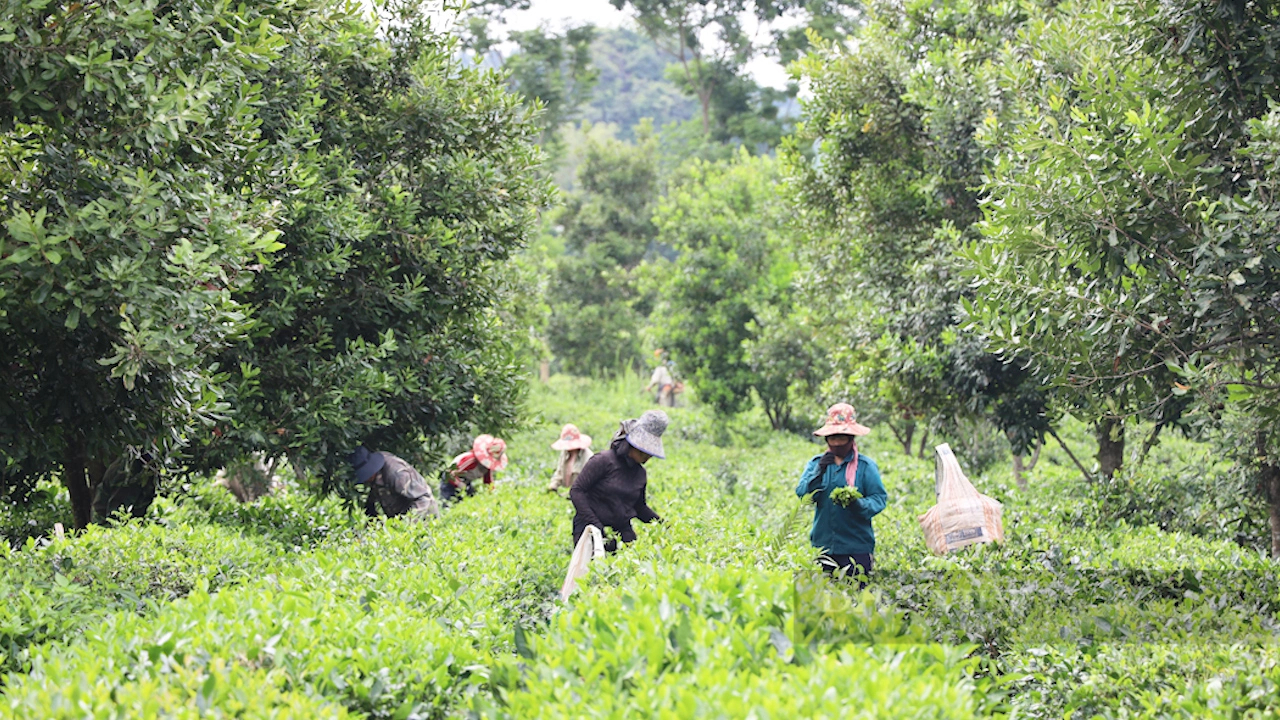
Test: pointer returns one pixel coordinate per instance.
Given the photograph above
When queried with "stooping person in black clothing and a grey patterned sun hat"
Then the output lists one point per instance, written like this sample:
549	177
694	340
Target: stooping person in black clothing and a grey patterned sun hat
610	491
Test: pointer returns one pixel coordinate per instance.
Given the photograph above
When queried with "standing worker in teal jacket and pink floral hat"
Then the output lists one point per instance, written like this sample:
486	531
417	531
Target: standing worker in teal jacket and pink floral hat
843	523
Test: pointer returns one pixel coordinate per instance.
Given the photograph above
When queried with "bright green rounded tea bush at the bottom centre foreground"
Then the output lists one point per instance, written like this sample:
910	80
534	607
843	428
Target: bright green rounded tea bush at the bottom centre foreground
734	642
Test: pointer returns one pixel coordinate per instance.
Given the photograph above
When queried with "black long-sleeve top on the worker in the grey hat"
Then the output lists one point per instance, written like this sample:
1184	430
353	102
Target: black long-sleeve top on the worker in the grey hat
610	493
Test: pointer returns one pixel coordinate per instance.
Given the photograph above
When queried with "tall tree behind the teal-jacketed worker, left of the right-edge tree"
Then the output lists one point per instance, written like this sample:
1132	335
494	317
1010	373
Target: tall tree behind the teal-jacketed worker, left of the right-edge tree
886	171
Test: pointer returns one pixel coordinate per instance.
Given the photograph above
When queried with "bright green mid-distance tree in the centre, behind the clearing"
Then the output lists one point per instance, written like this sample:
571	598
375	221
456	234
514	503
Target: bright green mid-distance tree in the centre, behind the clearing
725	309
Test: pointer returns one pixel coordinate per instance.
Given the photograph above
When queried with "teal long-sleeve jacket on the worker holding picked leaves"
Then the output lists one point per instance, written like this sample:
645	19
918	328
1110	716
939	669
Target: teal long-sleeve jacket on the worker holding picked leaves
844	531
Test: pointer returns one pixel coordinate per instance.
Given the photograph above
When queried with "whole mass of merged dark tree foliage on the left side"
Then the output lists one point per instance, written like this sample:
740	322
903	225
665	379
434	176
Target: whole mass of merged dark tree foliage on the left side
249	229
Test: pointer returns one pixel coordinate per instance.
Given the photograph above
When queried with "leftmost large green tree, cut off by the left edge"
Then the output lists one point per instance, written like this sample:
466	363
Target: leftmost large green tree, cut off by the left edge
129	226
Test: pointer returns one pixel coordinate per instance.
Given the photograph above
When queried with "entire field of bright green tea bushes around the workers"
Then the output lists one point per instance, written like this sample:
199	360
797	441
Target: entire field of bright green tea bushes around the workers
292	608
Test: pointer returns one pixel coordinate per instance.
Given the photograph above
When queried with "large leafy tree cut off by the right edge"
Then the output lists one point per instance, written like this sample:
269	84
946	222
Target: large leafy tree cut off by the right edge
1131	247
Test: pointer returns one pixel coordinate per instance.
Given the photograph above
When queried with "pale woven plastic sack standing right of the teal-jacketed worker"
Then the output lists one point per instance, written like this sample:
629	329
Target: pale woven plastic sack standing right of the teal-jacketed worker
963	517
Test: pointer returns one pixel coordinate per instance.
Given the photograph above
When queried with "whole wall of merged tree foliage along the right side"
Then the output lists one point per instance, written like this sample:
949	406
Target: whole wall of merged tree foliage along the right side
1053	209
